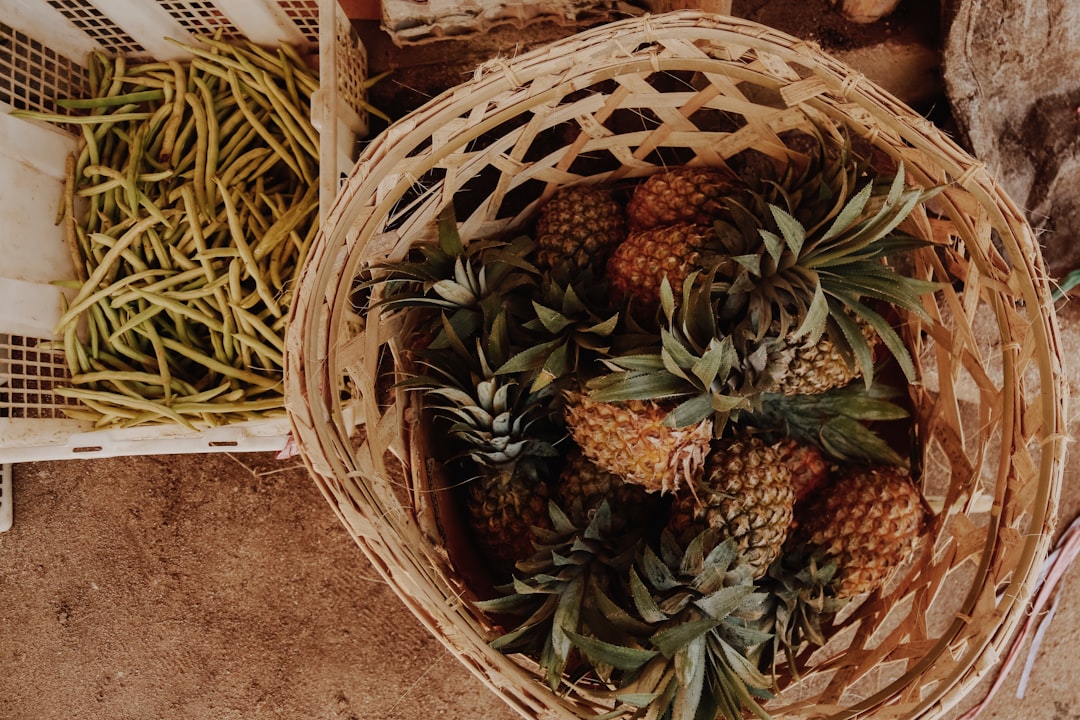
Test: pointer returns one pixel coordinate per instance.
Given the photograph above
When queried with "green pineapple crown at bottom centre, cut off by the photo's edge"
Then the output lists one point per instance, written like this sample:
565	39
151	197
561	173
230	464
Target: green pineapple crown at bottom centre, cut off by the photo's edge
704	614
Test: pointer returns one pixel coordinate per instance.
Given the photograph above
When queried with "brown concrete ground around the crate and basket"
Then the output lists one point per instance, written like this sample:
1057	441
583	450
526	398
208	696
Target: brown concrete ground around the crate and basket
222	587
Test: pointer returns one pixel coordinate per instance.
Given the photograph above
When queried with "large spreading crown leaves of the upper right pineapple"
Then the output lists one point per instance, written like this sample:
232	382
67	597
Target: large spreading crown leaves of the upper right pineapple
809	279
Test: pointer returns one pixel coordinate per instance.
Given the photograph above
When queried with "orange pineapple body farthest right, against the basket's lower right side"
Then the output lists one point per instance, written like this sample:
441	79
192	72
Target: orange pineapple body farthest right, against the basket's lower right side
870	520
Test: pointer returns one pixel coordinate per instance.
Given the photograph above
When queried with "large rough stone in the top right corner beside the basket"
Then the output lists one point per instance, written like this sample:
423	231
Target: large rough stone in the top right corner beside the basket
1012	76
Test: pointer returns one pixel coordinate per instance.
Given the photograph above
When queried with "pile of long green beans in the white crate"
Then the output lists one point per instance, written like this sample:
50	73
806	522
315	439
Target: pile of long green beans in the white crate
190	207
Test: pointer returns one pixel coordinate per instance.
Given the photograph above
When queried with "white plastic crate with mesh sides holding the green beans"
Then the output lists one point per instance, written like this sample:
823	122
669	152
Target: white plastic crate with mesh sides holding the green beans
44	47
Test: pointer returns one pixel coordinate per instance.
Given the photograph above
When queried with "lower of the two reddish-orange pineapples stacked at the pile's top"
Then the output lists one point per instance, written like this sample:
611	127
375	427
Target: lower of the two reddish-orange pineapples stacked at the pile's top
640	265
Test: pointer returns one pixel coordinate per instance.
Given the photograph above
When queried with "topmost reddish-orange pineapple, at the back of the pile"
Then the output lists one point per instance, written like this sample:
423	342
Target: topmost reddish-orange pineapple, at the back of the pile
681	196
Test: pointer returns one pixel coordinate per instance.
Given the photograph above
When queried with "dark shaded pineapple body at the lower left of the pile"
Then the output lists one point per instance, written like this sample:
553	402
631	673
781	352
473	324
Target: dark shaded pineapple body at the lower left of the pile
503	511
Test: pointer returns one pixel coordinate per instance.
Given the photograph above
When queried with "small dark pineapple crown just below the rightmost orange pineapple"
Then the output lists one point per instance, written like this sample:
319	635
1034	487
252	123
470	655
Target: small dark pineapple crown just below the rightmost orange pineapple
799	587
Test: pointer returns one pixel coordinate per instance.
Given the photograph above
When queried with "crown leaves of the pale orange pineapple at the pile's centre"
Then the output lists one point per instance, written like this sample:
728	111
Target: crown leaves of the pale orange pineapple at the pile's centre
713	374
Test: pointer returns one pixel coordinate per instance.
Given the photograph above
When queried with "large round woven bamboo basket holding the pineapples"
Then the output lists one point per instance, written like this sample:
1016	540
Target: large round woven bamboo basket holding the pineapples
990	405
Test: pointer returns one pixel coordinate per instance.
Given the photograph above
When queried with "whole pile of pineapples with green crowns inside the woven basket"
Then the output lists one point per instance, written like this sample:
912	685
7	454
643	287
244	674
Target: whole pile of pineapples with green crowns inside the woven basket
664	406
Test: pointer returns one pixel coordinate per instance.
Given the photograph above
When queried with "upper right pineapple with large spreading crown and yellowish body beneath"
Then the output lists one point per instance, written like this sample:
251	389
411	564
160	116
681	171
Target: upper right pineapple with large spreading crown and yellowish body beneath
807	270
